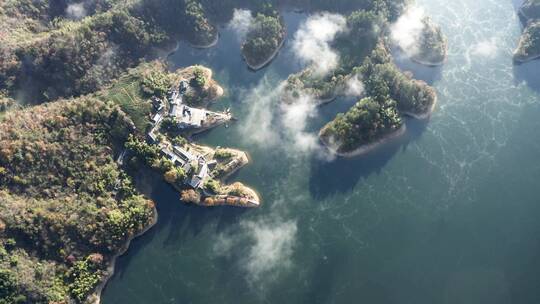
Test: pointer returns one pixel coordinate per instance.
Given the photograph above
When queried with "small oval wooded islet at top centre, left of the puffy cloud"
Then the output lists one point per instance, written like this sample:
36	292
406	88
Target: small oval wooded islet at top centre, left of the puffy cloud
264	39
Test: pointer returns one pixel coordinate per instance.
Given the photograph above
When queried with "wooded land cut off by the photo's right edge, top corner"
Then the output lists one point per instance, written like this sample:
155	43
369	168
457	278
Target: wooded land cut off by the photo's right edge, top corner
529	44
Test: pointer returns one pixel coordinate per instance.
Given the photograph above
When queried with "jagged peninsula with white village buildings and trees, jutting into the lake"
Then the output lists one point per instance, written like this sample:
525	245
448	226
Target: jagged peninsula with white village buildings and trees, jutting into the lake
196	171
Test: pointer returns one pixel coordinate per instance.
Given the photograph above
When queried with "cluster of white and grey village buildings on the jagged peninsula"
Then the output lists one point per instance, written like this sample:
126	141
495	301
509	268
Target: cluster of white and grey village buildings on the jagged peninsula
189	119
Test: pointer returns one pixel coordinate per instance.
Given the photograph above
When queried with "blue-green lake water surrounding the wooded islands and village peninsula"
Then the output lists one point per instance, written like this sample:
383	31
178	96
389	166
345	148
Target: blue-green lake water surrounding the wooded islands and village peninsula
450	213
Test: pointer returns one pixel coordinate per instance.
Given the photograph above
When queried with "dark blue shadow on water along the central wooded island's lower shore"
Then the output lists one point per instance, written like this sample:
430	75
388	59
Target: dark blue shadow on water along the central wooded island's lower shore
342	174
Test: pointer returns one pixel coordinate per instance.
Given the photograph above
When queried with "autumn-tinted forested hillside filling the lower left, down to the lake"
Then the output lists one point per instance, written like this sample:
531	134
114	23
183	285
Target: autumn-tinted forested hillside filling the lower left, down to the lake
65	207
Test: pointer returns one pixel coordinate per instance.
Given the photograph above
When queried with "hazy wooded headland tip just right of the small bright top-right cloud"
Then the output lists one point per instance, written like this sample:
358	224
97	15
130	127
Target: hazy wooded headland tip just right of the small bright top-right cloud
433	45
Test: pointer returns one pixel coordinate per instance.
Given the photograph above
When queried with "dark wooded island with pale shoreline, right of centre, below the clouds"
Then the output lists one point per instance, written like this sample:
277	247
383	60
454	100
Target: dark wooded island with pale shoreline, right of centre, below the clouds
377	118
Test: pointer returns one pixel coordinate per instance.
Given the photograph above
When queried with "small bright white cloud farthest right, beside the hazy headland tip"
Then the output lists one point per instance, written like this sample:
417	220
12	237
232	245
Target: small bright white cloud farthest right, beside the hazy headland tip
406	32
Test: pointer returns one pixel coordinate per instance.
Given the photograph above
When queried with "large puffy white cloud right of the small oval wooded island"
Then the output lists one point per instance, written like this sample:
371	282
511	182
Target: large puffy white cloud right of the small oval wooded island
311	42
